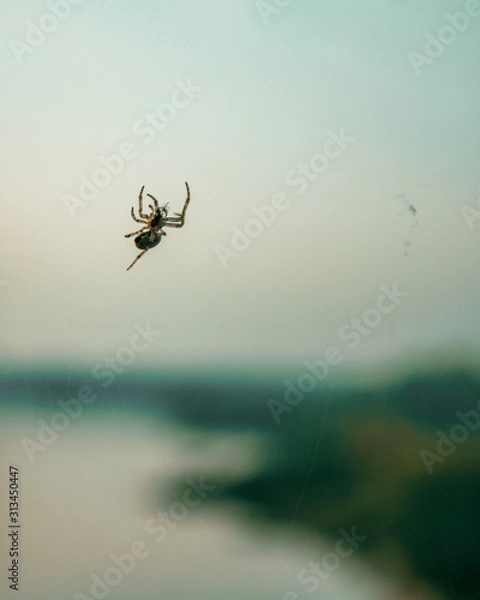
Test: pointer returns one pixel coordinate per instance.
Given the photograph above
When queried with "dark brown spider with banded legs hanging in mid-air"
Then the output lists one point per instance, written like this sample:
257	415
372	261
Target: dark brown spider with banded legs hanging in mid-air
151	233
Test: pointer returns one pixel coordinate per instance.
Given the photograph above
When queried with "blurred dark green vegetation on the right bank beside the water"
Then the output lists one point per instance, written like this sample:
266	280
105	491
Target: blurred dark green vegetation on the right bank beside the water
359	458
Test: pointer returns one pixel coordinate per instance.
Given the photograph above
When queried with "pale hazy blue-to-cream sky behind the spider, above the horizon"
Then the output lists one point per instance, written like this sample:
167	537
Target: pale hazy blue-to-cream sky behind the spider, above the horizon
243	95
